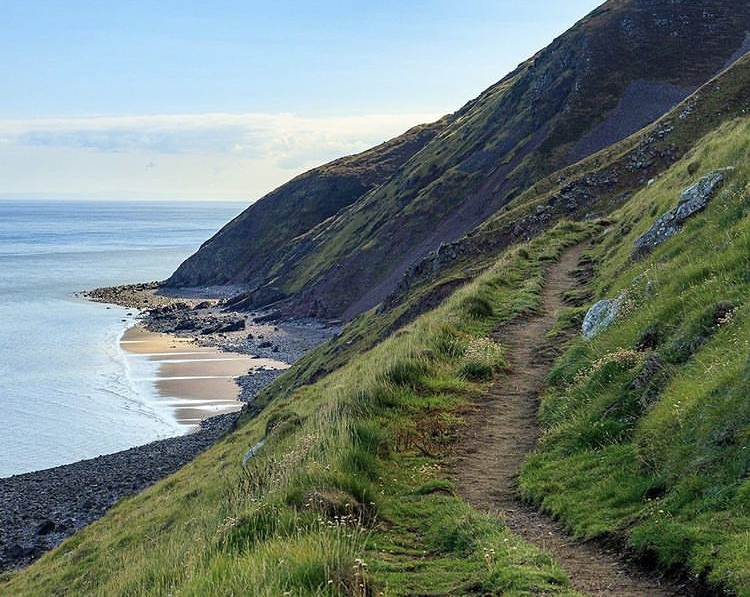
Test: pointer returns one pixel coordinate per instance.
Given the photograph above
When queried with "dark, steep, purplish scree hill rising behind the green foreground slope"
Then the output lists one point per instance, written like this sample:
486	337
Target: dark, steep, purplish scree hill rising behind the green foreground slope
618	68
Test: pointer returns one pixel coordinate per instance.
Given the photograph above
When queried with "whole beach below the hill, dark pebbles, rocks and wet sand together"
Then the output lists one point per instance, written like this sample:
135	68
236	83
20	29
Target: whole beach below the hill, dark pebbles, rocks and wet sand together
198	368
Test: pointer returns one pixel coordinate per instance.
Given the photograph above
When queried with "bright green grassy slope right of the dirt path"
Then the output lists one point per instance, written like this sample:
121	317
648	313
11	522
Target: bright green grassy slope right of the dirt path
647	427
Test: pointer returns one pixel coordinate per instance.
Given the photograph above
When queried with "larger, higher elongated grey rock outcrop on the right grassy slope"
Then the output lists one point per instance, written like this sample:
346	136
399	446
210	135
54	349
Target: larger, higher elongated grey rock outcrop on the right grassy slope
692	200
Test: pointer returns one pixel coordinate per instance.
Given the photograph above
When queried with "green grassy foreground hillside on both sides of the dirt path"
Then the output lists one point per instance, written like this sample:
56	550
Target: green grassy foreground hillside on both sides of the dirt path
645	427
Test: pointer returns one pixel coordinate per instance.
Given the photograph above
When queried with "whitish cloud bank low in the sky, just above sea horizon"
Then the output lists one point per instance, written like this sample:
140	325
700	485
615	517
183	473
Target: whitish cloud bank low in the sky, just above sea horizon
200	155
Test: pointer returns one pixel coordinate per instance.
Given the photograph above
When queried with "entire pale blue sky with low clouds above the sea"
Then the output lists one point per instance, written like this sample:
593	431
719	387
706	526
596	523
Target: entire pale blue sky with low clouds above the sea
226	100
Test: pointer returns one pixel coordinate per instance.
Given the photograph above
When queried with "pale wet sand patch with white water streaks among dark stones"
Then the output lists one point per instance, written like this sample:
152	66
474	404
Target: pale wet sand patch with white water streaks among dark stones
194	381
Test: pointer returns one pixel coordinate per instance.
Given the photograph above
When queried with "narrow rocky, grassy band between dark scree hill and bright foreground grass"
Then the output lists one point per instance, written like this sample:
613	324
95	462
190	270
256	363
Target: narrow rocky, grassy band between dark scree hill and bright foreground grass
720	100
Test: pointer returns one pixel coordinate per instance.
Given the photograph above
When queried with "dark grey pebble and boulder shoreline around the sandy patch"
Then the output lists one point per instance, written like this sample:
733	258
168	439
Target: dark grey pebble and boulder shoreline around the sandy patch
40	509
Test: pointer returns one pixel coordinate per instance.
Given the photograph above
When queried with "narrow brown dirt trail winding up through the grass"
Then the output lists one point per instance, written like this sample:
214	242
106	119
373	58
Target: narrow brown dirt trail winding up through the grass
503	430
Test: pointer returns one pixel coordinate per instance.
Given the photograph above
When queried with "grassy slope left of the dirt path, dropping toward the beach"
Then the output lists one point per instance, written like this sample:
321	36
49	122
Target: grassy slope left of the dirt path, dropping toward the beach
347	496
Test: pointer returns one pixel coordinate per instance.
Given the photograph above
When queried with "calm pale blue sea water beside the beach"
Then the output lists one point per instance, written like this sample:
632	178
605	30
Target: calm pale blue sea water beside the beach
65	389
